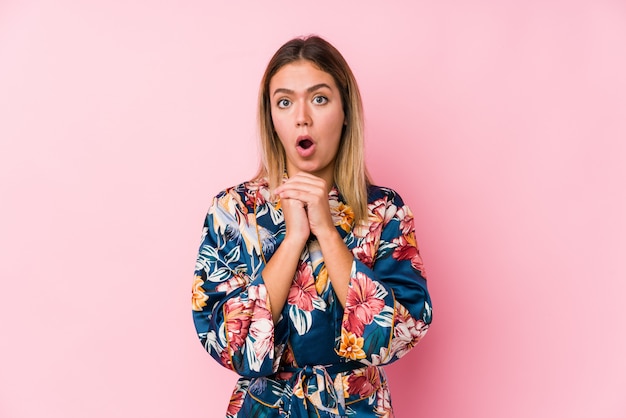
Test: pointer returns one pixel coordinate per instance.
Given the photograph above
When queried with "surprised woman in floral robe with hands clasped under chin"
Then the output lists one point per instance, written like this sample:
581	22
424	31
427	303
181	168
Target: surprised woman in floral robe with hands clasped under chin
308	277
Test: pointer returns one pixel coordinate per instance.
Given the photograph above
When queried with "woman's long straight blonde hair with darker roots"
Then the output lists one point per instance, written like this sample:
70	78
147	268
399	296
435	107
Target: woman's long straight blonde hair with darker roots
350	174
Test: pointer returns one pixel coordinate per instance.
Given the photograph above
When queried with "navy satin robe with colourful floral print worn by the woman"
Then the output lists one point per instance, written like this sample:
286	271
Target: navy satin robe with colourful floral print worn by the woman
319	359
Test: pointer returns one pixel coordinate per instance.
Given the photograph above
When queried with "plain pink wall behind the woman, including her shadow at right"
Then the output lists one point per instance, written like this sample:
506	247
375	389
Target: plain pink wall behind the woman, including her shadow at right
502	123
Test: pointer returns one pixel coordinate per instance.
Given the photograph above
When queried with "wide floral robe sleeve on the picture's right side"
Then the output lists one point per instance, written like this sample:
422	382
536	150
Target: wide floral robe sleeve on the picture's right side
388	307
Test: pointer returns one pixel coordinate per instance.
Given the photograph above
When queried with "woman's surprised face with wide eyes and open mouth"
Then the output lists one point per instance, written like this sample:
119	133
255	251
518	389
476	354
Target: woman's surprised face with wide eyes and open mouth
308	117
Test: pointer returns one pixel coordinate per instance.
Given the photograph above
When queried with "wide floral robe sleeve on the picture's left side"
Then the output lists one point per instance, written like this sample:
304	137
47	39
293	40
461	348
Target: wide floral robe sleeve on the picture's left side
230	305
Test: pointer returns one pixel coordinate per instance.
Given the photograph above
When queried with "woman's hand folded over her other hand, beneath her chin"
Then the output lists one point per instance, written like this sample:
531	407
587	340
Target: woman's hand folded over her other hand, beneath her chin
311	193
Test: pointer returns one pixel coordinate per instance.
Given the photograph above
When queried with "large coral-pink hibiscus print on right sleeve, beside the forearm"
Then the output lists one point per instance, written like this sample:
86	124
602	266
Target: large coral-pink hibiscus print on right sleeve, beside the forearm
362	303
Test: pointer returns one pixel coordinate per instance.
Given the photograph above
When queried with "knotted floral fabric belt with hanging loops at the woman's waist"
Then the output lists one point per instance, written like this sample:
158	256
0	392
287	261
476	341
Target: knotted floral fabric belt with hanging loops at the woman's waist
313	384
